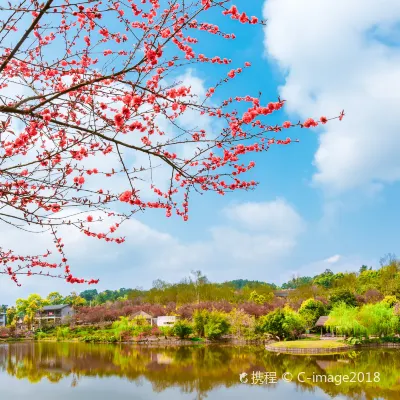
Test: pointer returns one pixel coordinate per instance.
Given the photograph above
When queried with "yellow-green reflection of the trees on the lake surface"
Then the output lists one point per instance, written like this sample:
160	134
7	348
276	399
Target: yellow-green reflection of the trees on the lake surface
198	369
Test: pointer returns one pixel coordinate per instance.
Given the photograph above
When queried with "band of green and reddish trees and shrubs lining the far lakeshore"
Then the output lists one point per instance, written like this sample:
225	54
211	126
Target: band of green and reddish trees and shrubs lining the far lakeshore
363	306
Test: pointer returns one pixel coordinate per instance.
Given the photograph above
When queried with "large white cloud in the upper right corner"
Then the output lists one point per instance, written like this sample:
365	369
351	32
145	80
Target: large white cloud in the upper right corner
340	54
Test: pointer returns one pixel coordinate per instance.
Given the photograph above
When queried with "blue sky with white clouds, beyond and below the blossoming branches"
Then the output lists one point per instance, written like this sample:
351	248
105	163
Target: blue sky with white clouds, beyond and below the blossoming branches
330	201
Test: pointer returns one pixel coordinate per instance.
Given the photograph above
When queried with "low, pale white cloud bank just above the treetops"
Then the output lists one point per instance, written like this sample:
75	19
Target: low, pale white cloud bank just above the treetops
237	247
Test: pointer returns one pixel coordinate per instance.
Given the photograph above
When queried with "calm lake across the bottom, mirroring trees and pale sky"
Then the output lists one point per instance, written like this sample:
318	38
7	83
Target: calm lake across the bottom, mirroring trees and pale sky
95	371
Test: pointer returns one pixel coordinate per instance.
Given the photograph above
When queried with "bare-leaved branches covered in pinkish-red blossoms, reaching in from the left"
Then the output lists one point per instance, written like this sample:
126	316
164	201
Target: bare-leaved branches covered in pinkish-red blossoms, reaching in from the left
86	81
